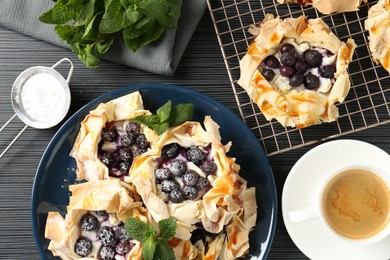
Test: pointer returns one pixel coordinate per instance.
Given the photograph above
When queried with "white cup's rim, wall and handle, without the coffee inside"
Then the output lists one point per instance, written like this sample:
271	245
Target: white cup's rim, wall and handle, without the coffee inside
315	211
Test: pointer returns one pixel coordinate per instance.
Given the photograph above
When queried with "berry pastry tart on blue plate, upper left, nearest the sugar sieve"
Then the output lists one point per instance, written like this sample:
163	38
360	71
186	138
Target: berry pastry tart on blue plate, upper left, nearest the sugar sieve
108	141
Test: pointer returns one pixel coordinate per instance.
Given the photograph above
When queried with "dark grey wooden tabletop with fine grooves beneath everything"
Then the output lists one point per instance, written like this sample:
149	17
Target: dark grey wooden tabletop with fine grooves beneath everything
201	68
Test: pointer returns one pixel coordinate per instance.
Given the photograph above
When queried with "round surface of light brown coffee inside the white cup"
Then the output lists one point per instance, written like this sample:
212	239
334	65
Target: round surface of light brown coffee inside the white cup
356	204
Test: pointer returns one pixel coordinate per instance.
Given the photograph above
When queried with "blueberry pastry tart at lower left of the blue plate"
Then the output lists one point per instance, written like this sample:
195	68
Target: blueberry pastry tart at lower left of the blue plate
94	225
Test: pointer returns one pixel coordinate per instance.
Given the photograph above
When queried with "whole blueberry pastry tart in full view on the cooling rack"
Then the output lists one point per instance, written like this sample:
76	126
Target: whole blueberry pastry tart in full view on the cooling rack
296	70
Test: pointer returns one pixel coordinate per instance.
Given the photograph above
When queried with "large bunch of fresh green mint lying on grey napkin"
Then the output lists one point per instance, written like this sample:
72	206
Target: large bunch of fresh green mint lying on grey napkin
88	26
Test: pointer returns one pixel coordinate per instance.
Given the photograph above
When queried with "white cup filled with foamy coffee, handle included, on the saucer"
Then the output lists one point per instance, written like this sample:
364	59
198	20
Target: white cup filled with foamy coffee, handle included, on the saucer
353	203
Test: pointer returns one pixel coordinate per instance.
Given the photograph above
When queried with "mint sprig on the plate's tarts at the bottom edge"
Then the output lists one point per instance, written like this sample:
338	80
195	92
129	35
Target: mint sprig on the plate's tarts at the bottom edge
153	246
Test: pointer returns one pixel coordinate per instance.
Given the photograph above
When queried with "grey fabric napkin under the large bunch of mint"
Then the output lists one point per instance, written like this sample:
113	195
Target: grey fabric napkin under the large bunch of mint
161	57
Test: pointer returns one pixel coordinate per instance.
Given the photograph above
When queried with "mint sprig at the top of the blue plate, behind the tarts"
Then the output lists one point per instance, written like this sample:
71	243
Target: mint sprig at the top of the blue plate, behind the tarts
166	116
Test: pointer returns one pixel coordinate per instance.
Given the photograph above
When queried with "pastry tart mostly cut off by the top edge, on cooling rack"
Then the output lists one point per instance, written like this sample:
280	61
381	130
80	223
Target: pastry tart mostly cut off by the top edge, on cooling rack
329	6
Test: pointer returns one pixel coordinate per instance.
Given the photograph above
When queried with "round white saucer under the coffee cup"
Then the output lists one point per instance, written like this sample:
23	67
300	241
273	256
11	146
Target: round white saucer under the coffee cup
311	237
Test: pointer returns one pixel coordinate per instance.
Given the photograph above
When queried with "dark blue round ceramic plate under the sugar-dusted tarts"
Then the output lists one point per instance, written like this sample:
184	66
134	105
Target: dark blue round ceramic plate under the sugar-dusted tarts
56	169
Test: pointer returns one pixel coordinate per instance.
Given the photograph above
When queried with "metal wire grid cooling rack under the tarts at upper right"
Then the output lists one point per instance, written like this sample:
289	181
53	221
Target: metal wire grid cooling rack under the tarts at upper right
367	104
